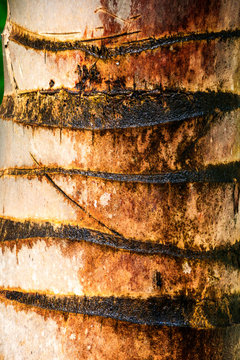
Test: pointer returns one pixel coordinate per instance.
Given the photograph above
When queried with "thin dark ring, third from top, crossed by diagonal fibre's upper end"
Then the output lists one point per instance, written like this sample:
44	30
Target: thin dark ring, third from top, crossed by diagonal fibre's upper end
222	173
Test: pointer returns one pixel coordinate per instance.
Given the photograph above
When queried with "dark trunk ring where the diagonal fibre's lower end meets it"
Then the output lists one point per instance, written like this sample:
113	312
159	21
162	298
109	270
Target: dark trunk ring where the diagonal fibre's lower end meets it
11	230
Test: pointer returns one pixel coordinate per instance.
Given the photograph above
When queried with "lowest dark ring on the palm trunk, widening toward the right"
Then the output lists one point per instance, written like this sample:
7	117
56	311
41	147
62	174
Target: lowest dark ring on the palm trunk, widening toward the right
177	311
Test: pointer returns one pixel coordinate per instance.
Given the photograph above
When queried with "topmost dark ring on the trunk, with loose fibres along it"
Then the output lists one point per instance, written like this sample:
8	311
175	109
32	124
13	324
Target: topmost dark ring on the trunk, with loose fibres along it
39	42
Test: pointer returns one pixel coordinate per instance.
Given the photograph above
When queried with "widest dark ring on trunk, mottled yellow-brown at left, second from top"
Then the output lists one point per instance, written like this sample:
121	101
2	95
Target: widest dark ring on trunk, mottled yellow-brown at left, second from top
66	109
